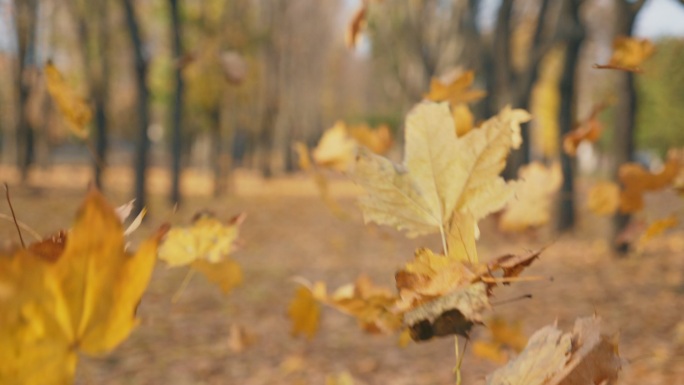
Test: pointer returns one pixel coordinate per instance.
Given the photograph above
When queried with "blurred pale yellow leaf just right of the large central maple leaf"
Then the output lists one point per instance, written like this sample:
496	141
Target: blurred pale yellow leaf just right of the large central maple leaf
531	205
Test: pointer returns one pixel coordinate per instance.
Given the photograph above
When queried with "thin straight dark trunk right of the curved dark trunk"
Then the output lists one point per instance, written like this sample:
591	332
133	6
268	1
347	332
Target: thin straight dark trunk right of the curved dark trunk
177	109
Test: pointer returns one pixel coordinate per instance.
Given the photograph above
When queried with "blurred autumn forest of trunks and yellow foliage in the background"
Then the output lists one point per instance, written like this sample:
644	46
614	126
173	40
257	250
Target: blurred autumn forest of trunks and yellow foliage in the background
210	86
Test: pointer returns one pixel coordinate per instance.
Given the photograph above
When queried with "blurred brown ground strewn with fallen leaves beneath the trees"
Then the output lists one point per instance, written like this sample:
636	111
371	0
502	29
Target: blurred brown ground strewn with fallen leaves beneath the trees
289	232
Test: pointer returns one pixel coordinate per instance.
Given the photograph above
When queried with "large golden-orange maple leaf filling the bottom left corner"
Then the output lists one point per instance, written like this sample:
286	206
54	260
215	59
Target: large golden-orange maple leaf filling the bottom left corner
75	292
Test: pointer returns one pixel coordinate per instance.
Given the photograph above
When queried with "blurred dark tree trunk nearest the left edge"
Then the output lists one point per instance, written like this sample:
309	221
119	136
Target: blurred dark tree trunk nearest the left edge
26	24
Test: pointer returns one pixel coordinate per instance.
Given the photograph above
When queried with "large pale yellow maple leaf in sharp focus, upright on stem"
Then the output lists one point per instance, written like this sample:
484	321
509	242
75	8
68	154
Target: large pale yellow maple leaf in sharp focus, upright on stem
446	183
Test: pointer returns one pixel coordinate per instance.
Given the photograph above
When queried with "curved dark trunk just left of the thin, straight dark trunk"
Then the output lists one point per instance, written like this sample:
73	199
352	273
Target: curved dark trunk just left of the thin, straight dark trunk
143	144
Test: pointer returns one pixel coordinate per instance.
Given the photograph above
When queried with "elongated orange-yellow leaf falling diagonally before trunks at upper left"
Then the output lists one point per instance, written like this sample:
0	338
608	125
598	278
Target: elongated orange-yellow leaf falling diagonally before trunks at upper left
73	108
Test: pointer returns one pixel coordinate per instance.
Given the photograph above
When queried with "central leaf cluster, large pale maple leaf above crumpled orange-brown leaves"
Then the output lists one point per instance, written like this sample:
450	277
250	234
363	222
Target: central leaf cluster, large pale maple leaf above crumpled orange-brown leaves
446	184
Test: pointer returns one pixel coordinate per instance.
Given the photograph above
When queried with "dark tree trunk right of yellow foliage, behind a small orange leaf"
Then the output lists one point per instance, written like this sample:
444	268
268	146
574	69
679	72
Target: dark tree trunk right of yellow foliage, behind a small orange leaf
575	32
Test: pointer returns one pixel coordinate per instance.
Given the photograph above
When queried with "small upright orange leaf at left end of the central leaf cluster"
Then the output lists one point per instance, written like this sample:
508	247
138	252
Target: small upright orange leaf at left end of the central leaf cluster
304	312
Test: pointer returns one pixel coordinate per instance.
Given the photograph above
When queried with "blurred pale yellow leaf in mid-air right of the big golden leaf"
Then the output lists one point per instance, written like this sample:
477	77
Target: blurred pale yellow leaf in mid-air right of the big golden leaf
205	245
